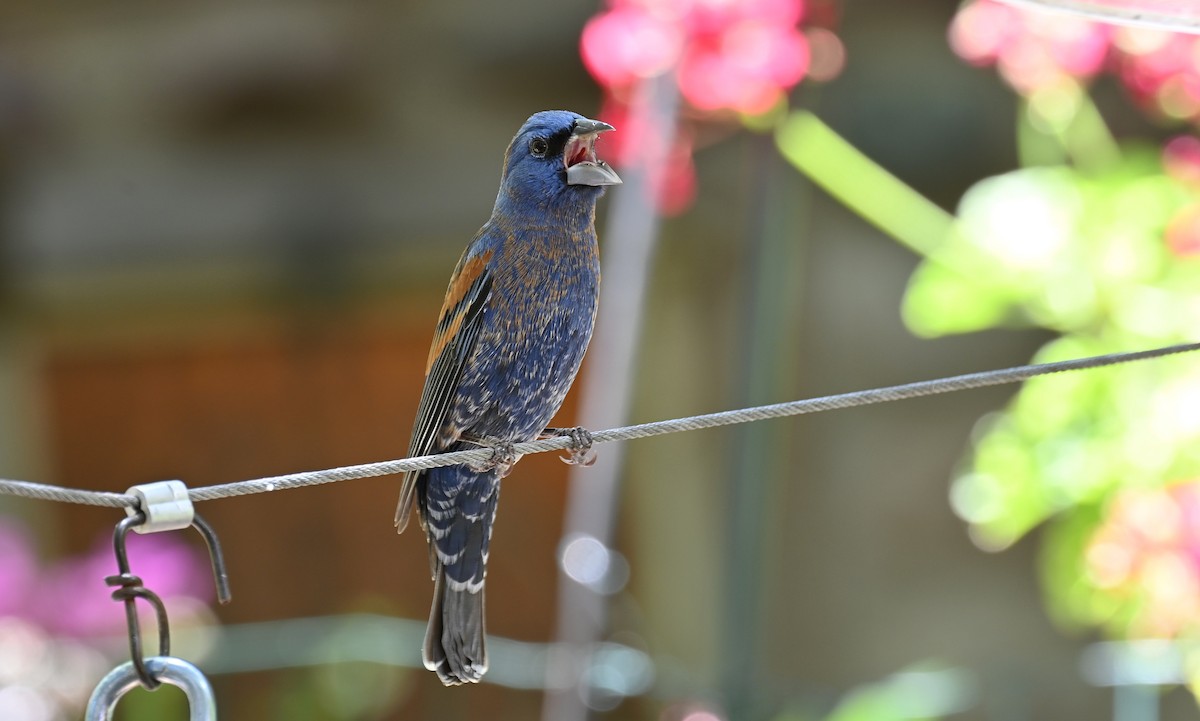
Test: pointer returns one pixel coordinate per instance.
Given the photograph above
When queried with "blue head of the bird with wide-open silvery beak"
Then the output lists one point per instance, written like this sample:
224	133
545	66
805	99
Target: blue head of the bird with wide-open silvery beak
553	161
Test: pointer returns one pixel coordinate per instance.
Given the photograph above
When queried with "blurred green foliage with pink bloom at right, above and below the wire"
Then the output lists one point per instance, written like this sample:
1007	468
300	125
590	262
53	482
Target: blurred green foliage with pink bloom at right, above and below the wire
1106	259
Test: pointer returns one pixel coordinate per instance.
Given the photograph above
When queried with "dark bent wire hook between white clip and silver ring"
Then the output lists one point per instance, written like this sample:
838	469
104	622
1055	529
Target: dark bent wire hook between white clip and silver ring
129	588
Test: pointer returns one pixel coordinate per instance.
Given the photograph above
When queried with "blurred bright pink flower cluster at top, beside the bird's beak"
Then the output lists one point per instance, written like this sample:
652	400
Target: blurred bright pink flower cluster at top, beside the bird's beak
727	57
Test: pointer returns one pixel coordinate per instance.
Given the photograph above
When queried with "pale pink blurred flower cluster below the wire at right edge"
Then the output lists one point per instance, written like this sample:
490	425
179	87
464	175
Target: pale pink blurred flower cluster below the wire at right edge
1147	555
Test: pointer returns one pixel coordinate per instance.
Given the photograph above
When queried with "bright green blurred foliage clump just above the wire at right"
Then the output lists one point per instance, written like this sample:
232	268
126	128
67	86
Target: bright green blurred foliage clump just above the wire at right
1069	251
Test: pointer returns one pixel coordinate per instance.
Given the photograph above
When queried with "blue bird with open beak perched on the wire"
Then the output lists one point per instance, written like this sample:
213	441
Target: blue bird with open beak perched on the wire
514	327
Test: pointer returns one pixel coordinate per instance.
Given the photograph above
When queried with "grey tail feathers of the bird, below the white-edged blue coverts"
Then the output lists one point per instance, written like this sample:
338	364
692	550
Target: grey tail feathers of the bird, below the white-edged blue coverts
455	647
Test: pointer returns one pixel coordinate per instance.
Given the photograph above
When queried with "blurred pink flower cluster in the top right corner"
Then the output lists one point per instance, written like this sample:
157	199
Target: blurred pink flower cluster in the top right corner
1035	50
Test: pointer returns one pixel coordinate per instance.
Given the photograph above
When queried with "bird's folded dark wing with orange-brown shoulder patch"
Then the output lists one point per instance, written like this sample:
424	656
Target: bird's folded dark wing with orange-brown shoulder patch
454	340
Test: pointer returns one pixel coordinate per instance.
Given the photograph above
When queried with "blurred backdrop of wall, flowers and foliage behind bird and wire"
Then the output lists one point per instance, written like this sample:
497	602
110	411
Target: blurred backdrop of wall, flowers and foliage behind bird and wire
226	232
